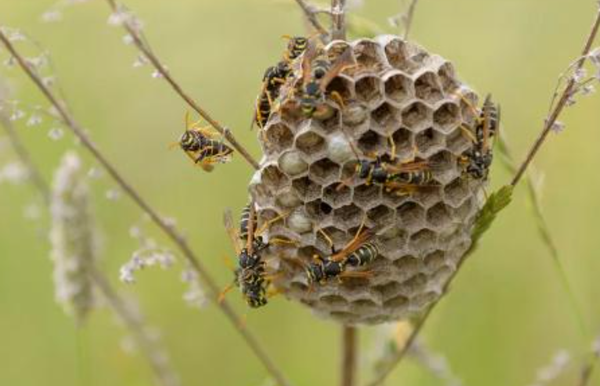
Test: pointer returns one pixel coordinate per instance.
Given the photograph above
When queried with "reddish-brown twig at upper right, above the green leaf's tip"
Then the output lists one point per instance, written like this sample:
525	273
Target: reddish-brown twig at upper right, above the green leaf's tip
562	103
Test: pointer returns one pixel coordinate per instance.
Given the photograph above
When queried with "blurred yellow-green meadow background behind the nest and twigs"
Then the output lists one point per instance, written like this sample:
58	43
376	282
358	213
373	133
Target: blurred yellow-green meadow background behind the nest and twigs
507	313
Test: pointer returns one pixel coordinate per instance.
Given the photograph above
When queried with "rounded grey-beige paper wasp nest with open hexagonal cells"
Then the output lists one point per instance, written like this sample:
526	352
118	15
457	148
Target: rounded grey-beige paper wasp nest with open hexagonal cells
401	91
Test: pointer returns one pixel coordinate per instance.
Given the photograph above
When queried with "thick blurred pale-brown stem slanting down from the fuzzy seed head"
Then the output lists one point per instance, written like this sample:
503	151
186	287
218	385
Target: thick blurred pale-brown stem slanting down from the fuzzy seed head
144	342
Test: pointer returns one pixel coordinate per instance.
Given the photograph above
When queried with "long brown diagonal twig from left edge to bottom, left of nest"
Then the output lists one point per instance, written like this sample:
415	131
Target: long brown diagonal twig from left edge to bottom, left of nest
163	225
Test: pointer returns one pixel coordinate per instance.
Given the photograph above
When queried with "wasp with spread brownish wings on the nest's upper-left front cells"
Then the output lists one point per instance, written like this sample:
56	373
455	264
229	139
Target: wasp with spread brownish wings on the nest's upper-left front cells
317	73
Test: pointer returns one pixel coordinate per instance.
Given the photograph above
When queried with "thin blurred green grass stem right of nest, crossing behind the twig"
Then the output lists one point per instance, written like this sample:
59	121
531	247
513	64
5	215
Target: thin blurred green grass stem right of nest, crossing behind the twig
543	230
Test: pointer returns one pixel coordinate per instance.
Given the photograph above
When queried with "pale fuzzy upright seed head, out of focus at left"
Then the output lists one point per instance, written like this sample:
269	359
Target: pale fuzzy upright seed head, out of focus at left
73	238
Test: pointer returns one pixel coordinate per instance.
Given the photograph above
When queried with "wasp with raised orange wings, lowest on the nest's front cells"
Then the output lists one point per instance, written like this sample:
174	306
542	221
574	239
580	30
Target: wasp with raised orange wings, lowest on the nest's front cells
357	253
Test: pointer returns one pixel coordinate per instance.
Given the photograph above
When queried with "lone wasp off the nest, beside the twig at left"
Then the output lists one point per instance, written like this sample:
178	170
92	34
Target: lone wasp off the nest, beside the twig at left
204	145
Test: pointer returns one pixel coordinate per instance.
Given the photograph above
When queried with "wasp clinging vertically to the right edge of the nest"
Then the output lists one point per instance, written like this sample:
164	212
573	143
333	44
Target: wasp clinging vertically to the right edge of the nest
477	160
